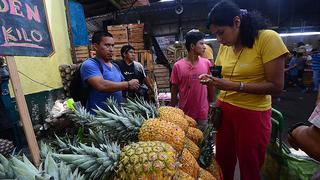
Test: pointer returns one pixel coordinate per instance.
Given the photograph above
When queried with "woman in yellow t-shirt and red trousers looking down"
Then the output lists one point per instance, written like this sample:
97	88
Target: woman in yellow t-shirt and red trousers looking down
252	60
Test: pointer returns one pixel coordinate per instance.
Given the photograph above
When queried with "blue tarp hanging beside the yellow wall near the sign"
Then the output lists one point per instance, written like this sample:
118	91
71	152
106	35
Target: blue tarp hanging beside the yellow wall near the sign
78	24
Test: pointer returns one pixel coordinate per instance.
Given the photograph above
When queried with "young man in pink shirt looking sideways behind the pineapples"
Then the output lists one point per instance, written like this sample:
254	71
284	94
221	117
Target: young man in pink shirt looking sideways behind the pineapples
194	98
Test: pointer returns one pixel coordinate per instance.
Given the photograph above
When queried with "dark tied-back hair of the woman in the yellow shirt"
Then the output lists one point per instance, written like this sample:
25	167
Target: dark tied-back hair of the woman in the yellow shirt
223	13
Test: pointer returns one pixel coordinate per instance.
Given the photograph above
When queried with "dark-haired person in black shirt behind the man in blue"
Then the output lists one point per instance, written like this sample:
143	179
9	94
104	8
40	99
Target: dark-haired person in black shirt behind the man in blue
132	69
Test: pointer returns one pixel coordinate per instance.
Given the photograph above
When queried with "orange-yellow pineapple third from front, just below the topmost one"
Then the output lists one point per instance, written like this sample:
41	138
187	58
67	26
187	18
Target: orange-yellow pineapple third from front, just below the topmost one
175	118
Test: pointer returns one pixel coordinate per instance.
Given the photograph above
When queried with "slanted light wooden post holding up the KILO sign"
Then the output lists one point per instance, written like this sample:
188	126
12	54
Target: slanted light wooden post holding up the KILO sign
23	110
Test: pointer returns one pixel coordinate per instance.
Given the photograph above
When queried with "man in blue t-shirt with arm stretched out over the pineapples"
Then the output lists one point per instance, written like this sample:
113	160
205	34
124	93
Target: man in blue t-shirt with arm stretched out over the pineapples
106	82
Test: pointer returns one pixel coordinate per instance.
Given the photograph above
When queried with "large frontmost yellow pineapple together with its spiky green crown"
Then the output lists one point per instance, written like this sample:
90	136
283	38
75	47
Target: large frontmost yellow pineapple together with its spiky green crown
141	160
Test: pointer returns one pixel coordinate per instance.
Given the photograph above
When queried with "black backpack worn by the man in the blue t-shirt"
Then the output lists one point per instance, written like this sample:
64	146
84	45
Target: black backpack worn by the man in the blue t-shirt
79	91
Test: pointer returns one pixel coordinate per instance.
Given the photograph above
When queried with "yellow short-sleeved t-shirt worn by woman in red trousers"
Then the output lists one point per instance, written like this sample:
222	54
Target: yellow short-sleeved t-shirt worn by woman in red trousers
249	69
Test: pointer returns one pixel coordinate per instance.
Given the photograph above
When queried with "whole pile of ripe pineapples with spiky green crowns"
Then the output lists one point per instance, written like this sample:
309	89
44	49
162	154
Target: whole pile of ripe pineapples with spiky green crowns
134	141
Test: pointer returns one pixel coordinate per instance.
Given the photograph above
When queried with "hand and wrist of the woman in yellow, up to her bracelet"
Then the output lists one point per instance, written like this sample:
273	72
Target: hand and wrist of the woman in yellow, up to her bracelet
219	83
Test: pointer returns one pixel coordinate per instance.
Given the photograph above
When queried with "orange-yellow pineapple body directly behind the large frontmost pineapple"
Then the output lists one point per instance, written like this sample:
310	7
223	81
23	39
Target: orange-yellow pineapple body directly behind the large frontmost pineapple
157	130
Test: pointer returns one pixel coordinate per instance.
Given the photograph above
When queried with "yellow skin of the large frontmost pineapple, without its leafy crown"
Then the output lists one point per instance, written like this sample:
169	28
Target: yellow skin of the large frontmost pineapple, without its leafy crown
147	160
